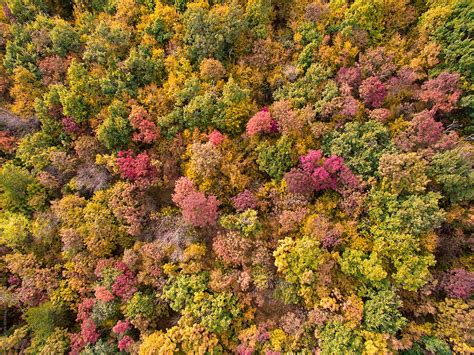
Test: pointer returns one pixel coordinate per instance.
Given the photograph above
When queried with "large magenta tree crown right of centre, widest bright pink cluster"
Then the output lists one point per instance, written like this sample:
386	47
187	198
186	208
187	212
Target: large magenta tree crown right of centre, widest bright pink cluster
316	173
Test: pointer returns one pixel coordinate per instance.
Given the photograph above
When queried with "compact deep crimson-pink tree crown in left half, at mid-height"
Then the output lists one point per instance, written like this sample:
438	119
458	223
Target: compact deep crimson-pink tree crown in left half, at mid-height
136	168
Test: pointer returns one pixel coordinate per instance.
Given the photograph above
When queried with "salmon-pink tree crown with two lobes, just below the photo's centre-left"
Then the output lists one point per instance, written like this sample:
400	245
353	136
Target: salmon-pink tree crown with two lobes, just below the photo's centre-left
197	209
